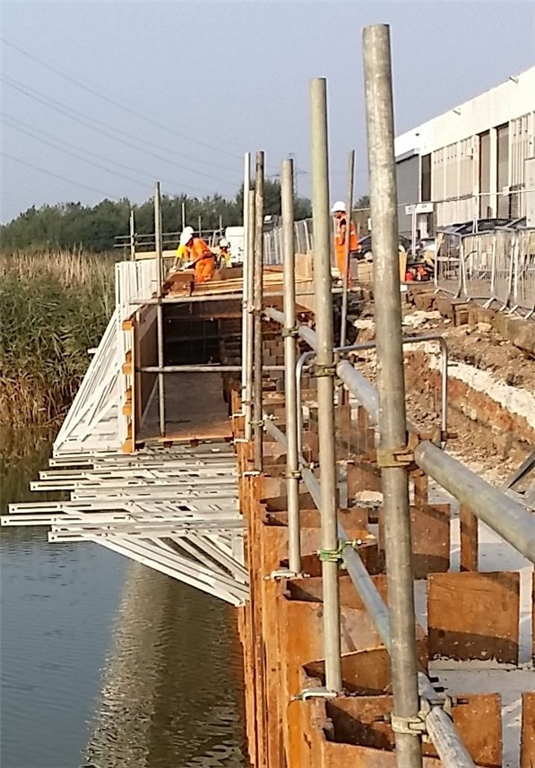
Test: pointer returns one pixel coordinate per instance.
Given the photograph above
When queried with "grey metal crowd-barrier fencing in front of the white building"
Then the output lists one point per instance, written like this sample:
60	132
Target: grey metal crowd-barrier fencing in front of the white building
495	267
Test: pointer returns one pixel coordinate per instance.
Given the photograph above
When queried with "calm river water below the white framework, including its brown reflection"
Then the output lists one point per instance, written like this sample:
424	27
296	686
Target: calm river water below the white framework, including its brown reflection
105	663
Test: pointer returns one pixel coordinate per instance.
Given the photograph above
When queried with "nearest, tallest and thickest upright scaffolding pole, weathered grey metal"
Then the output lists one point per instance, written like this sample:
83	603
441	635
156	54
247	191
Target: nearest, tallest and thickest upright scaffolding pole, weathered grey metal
391	389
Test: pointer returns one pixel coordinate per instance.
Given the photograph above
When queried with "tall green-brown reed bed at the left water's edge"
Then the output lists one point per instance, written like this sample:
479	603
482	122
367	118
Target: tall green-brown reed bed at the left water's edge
53	308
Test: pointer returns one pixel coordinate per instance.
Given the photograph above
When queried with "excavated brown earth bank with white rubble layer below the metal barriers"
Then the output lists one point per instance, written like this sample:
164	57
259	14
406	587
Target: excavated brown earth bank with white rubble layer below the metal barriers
497	375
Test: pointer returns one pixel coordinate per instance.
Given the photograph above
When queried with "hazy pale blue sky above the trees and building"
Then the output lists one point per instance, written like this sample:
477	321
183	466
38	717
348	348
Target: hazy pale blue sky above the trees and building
178	91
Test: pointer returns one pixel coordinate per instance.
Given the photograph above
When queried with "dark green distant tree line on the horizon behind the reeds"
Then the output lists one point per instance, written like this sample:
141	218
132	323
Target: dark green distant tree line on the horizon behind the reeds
69	226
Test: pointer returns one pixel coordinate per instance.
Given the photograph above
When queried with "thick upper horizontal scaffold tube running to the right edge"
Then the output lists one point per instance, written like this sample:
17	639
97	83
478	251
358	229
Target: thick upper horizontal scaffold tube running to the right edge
506	517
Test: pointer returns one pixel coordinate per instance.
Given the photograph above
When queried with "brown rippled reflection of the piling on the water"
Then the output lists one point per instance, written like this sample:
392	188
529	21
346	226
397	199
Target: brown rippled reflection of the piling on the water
170	692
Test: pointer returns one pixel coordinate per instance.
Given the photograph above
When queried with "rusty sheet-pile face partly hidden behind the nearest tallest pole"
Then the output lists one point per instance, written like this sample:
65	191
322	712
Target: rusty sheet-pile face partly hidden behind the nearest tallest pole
430	538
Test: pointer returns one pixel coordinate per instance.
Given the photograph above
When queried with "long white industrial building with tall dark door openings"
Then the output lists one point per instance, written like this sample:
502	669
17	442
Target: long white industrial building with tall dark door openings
475	161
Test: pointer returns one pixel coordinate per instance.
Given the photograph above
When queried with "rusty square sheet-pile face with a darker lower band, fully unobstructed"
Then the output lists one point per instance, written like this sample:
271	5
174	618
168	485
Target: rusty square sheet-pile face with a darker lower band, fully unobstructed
474	616
